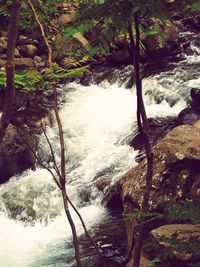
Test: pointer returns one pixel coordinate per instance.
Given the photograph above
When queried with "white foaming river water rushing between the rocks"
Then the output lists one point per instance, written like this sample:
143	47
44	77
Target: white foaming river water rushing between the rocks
99	122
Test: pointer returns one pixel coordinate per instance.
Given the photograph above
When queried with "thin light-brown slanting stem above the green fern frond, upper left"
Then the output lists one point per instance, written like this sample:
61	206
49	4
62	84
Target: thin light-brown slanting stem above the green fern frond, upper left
42	32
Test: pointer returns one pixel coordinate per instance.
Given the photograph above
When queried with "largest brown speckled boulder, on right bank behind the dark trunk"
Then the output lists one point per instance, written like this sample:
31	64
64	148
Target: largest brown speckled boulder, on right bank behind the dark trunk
176	160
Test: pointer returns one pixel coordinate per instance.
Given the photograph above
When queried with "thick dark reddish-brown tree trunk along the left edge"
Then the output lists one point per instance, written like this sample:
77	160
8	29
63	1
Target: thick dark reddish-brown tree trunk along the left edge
10	68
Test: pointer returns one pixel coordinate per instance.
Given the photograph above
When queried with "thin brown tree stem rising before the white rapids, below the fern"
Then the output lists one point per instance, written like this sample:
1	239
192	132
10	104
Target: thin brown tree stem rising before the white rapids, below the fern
63	182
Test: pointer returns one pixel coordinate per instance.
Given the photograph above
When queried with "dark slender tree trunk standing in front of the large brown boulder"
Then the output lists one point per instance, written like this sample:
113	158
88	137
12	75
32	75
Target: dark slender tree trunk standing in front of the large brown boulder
143	128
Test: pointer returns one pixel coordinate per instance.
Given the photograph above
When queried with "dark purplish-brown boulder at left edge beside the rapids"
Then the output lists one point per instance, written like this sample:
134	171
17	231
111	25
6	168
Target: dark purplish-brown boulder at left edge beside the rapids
15	155
